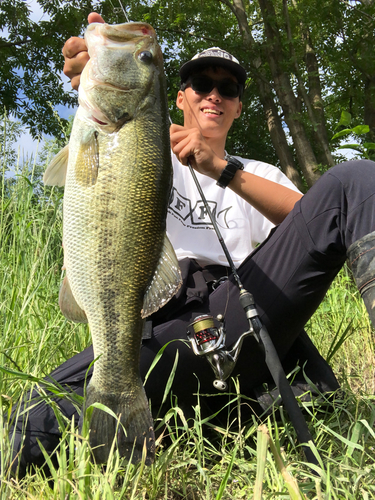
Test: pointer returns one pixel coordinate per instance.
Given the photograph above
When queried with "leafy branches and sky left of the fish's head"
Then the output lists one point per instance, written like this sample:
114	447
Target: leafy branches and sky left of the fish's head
31	60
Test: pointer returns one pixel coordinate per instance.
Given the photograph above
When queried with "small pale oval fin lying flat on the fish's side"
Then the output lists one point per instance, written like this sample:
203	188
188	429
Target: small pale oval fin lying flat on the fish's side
87	162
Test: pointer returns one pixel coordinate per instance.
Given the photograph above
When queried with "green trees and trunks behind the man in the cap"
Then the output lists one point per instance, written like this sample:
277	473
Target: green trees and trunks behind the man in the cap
306	62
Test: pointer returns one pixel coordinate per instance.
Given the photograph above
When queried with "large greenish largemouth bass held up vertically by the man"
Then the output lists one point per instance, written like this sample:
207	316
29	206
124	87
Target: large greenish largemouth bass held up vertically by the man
120	266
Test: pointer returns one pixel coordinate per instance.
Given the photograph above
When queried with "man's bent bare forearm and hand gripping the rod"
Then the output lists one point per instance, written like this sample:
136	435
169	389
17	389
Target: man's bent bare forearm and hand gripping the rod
271	199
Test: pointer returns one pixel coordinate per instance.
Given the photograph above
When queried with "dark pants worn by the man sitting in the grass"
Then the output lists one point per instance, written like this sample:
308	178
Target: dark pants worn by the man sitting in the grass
288	274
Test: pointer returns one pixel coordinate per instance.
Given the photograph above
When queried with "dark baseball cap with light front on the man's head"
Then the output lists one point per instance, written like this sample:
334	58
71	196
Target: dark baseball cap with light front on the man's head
214	56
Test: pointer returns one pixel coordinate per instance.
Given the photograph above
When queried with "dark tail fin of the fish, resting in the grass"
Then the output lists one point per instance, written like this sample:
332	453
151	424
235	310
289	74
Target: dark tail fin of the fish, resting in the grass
132	430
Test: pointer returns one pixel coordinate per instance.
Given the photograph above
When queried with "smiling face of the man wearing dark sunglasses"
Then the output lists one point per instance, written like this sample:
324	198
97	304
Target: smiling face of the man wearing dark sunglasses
211	113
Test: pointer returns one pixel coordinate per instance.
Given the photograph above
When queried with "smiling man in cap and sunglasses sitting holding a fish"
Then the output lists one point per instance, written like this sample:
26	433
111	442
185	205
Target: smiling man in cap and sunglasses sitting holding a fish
288	273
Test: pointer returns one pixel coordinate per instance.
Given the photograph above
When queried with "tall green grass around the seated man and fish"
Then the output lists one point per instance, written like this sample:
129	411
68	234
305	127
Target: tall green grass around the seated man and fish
260	460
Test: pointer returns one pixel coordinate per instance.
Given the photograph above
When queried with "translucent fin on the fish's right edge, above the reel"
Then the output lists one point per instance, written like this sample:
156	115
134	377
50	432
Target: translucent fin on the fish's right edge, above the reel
165	283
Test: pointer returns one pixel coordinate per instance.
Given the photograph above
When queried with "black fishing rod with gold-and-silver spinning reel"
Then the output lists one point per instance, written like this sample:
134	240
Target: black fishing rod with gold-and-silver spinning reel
206	340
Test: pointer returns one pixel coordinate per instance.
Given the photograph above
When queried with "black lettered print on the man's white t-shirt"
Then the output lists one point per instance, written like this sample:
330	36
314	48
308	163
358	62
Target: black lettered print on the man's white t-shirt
196	215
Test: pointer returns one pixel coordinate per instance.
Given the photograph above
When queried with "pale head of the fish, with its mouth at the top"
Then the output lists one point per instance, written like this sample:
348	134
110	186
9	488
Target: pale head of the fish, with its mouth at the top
107	92
